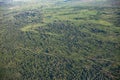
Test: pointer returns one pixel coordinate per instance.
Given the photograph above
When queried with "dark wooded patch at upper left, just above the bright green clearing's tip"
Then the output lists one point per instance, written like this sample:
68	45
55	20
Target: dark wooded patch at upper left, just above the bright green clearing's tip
26	17
